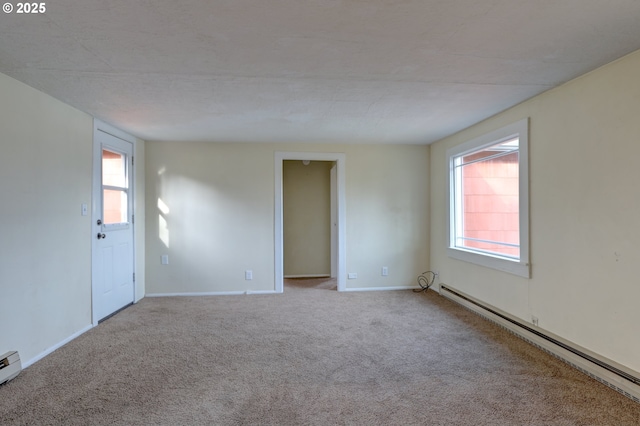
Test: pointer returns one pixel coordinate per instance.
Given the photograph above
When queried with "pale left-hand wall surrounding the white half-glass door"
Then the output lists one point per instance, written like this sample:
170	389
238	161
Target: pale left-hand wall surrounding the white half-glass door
45	242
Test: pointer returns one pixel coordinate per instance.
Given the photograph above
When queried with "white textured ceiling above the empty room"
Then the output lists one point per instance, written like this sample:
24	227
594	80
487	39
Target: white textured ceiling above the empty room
365	71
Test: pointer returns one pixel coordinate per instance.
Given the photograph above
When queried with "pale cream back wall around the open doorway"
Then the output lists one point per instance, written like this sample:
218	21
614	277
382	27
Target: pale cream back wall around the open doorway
216	218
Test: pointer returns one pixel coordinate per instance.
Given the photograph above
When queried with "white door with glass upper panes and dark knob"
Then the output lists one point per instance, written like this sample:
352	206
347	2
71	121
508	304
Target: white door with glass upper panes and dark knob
113	255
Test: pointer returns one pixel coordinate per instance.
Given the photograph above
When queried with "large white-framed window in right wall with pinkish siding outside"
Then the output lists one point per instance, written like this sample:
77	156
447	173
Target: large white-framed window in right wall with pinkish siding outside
489	200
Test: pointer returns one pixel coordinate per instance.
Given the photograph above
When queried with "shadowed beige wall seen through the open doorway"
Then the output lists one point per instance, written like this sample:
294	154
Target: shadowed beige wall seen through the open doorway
306	218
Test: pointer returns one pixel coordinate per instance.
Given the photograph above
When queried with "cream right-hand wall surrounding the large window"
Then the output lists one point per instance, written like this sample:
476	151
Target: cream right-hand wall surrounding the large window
584	208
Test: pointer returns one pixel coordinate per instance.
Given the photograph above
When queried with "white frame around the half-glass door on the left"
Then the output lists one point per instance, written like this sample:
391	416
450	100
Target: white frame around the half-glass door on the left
96	213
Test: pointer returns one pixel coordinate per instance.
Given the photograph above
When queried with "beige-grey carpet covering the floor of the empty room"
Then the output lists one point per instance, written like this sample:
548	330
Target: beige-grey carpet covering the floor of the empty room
310	356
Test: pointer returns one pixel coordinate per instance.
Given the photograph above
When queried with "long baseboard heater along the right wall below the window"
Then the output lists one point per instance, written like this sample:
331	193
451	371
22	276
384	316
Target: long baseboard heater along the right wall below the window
607	372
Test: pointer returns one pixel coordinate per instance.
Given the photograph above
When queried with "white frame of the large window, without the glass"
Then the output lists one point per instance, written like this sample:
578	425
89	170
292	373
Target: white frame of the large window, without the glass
521	266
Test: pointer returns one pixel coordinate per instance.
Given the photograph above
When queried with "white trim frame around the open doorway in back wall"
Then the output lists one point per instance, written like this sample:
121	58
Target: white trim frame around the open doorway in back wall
341	255
